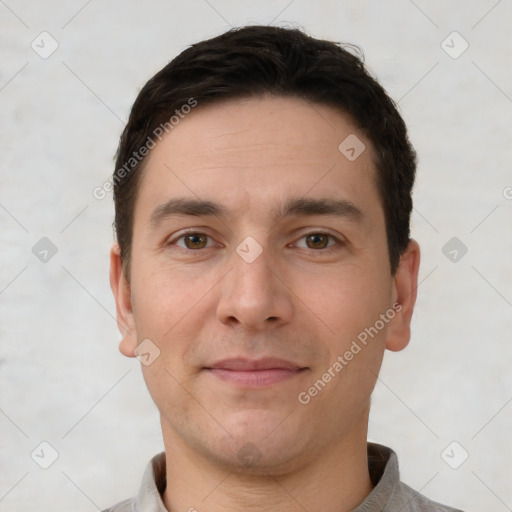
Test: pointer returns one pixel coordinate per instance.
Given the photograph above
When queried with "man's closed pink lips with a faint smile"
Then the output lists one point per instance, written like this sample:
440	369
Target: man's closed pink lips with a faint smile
252	373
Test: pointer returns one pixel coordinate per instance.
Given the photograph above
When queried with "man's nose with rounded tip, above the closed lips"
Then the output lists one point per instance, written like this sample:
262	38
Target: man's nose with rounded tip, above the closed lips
255	294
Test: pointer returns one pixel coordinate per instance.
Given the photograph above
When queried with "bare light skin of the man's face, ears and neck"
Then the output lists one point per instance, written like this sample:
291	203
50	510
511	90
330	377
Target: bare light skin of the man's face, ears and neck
303	299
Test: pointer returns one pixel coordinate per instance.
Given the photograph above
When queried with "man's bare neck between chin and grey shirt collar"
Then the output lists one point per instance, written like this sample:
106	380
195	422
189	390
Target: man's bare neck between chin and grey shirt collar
336	480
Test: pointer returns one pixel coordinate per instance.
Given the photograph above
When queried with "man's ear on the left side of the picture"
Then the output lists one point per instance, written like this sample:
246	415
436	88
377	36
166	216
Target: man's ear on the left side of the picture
122	294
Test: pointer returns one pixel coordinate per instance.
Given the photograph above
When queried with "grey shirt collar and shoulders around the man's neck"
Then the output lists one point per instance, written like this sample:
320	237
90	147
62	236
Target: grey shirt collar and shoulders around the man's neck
388	495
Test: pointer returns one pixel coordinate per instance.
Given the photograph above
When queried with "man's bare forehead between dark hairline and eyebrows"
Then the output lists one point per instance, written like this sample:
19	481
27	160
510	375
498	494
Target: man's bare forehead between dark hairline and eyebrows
258	151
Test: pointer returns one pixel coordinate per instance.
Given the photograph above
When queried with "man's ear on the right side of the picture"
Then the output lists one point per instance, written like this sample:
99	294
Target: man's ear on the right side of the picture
405	285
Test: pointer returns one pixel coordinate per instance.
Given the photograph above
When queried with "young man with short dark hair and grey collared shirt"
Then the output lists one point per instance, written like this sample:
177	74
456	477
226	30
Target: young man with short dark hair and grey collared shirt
262	266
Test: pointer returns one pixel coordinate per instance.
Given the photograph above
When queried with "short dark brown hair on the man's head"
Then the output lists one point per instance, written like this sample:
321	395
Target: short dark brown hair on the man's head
259	60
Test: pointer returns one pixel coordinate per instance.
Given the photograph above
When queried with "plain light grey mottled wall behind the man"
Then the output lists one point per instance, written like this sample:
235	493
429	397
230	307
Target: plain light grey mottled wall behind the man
63	380
